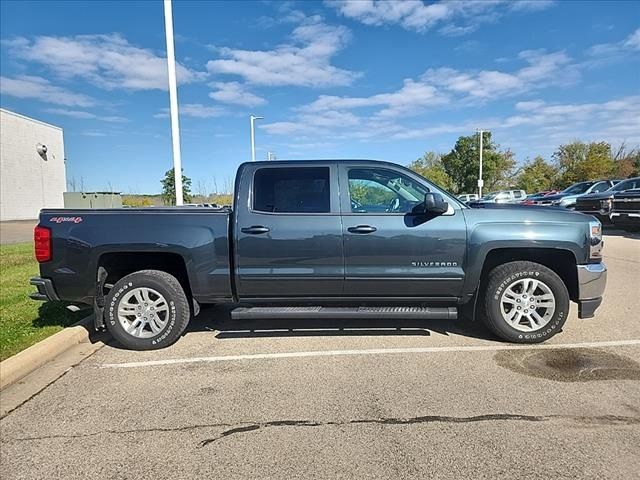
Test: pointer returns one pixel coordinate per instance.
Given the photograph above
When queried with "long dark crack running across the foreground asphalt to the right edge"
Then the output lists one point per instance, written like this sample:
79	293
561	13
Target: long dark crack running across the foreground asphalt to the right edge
592	420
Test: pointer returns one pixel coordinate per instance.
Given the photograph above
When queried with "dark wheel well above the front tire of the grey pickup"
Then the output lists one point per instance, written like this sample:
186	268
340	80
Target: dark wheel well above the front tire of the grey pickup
562	262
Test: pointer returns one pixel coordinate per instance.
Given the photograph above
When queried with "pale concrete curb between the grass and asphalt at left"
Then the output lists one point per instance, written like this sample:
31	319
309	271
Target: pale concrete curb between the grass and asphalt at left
23	363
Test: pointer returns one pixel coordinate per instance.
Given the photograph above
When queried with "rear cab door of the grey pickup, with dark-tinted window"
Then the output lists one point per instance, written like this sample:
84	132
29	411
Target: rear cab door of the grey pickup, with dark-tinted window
288	235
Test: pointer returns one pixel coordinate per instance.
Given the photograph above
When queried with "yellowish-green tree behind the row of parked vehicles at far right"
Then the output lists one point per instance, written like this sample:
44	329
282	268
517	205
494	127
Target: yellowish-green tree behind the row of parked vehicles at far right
579	161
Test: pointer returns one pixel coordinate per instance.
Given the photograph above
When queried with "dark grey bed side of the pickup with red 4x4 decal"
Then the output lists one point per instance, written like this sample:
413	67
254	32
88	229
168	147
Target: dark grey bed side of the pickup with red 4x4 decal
82	239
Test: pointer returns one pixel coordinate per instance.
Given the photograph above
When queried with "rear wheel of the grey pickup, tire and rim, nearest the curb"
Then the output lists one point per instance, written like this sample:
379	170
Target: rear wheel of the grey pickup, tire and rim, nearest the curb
147	310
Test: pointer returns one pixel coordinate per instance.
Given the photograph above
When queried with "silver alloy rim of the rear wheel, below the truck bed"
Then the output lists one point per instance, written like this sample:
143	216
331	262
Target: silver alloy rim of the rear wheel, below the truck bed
143	312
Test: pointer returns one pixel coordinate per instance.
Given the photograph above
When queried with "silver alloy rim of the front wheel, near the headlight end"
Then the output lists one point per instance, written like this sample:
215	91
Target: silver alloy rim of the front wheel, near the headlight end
527	304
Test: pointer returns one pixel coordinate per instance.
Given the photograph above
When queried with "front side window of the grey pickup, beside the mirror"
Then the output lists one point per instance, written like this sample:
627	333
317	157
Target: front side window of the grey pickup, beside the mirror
374	190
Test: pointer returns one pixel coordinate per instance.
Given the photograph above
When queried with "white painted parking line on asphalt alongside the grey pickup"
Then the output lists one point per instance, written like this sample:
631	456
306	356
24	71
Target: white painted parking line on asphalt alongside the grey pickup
373	351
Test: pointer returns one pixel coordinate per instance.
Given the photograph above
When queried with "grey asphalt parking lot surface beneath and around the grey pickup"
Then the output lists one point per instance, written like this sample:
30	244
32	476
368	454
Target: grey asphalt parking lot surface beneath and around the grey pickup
301	400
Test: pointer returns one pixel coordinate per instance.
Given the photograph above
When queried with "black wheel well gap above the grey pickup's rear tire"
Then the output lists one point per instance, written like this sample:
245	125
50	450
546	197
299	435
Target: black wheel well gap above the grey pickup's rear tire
121	264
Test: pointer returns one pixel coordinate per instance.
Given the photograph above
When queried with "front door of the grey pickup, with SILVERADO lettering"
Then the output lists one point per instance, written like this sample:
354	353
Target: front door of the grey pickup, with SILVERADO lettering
390	251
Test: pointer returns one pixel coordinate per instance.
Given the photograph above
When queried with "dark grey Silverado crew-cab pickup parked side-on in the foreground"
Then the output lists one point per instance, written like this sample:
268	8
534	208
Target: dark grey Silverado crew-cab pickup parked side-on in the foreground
324	239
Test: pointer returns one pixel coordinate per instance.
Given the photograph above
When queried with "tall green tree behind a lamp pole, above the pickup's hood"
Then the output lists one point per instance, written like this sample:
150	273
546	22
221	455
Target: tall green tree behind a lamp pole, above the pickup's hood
463	162
